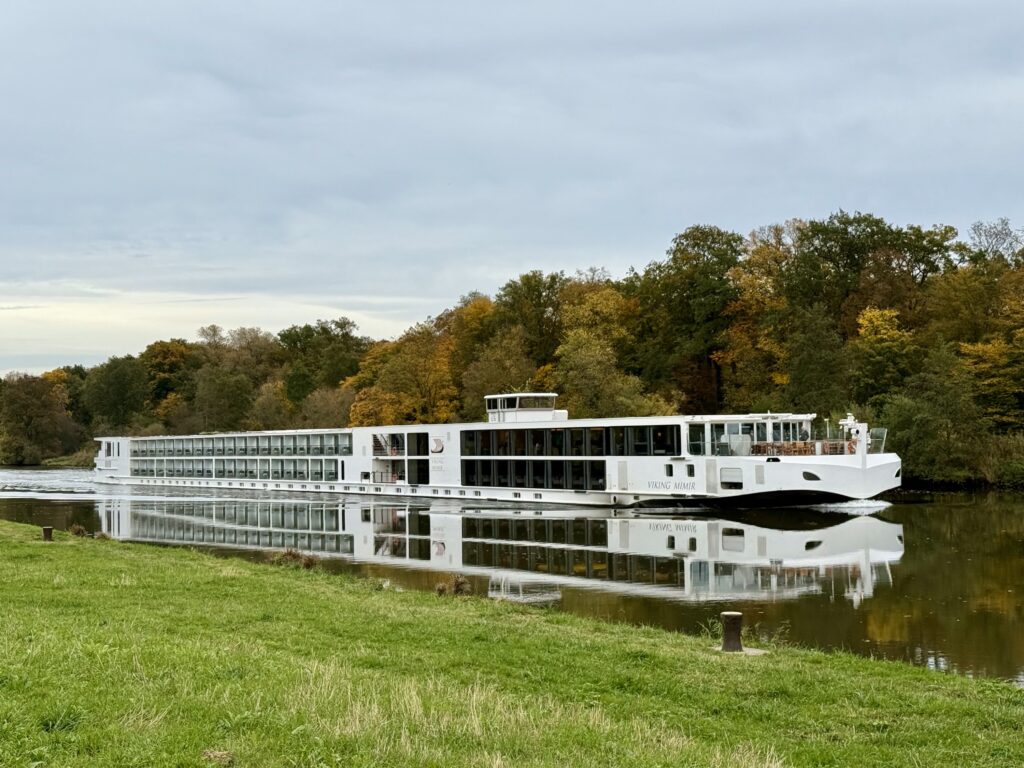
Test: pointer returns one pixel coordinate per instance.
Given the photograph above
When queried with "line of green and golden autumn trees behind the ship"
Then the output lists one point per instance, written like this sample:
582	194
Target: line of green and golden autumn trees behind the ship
910	328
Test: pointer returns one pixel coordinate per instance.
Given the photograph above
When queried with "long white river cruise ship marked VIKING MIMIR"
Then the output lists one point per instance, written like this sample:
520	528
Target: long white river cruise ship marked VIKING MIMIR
530	452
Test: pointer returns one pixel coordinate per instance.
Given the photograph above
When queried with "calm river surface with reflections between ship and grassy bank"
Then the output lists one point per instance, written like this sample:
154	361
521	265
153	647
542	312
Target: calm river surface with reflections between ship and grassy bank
937	581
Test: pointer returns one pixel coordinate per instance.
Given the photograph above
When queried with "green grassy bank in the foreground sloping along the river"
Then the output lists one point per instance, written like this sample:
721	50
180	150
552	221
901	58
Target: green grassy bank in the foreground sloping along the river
118	655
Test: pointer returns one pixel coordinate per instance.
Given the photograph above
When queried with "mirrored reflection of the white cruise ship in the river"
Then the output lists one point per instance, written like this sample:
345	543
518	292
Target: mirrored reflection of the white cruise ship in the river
533	556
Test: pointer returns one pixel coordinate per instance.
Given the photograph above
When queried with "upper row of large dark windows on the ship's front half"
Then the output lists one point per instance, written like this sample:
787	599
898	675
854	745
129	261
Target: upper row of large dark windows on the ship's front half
641	441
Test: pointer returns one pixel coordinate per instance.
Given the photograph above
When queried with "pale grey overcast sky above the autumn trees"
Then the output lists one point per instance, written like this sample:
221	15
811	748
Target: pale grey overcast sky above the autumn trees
167	165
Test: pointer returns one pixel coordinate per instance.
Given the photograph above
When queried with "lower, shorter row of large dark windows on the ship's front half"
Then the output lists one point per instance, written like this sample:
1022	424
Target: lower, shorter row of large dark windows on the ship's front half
520	474
